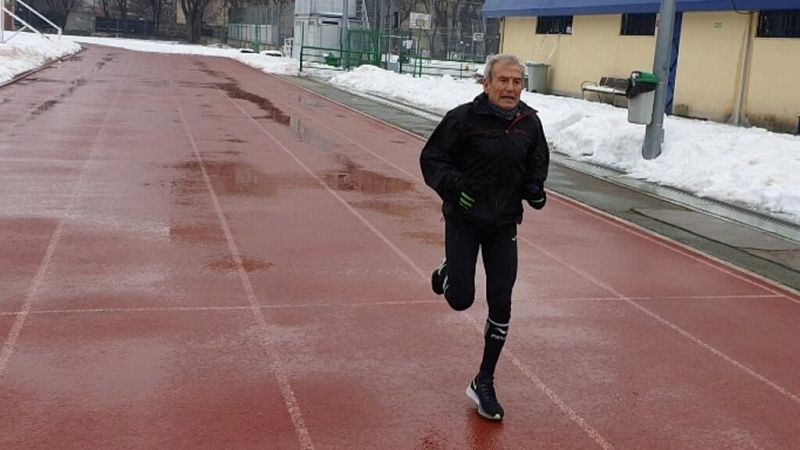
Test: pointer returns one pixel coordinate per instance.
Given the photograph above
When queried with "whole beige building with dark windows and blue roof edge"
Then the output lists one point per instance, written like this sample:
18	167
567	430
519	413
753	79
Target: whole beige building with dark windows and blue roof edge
738	67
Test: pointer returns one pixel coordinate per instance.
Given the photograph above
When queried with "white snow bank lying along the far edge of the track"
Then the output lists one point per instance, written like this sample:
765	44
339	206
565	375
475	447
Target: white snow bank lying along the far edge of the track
749	166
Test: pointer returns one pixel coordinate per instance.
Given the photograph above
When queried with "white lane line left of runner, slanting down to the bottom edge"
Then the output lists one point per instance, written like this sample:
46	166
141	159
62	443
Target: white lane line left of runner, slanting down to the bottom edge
289	399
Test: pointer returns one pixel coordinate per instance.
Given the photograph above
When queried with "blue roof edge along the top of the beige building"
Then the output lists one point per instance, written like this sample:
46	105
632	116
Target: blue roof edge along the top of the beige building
528	8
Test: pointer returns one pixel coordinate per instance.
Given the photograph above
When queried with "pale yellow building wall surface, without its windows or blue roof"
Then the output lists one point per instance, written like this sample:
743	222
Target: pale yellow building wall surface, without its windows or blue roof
708	79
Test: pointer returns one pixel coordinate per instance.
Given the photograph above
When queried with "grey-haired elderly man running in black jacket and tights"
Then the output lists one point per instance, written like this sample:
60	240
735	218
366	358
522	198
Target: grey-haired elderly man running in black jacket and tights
483	159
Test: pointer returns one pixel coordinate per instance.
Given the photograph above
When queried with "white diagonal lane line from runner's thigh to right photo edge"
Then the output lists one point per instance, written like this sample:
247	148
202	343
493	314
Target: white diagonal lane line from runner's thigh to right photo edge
780	389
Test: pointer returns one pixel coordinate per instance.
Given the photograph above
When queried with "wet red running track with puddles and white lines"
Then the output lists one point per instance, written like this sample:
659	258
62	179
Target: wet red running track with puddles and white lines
198	255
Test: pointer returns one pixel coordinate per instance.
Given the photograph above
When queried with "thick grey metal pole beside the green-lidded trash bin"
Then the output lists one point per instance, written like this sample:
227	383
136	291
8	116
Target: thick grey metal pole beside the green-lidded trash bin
654	134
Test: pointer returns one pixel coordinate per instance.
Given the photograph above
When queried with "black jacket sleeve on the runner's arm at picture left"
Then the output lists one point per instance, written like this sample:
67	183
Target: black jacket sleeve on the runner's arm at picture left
437	158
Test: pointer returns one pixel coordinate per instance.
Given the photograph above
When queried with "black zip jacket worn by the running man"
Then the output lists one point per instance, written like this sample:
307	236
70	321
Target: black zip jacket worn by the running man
493	157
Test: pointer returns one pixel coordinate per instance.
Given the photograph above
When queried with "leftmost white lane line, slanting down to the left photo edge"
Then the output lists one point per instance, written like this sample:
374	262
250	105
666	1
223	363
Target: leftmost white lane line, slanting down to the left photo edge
19	321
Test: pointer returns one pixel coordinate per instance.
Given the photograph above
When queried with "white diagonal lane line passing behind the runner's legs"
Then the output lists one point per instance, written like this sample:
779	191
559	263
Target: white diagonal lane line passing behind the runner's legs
569	412
